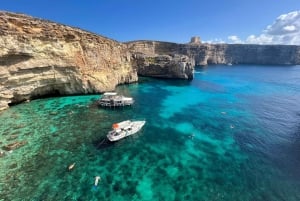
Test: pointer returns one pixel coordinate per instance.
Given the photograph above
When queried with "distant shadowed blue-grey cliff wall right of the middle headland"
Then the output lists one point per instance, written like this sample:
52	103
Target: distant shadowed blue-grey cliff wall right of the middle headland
205	54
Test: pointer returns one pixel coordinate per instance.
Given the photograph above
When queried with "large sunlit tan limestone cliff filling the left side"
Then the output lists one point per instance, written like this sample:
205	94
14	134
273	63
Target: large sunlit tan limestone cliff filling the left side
39	57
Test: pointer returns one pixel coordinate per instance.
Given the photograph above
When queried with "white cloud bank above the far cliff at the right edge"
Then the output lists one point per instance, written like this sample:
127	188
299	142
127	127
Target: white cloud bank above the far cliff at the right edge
284	30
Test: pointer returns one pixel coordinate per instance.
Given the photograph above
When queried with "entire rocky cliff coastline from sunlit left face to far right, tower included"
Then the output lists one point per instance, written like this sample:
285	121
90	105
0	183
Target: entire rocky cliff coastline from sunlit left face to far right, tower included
39	57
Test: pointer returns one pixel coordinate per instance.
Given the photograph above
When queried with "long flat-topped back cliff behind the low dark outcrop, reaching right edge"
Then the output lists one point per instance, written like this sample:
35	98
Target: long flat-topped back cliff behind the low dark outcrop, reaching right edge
205	54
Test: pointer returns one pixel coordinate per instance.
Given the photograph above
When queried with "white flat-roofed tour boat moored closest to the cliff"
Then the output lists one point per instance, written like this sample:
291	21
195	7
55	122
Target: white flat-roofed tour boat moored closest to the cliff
112	99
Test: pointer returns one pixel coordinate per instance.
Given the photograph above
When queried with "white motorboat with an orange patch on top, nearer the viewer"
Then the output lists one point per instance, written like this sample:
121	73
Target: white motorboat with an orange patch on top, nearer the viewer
124	129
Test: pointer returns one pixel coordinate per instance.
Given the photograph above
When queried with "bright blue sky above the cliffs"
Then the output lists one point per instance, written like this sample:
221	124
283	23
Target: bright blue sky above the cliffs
231	21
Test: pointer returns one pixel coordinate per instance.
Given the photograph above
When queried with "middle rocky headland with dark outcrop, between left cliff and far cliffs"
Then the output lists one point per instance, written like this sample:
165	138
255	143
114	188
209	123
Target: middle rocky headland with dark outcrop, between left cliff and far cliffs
161	59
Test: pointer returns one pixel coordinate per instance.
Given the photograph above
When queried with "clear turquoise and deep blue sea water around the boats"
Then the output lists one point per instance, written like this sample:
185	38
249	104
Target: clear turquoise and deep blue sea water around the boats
233	133
